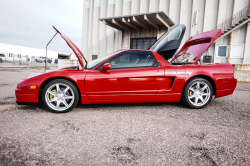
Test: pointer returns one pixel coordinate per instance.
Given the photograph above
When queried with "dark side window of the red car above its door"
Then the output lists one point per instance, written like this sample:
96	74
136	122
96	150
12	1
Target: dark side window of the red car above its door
132	59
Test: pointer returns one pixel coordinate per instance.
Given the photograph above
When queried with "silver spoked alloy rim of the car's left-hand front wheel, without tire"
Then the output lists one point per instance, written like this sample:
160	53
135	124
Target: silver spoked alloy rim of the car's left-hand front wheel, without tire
59	97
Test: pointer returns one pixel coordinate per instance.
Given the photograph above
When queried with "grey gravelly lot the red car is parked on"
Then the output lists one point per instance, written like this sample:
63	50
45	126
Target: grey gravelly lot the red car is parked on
124	134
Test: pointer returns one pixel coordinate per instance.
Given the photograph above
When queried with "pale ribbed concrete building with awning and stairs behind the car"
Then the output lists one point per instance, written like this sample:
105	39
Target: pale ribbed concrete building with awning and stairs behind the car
109	25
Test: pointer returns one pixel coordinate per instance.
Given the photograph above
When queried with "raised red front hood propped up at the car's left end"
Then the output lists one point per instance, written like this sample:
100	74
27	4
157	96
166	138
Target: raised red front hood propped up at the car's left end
75	49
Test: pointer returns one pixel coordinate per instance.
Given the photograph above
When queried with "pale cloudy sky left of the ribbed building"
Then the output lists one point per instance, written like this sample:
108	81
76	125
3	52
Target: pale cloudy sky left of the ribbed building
29	23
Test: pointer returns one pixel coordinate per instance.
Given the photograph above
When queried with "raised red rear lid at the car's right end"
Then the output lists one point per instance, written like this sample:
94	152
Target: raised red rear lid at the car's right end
196	46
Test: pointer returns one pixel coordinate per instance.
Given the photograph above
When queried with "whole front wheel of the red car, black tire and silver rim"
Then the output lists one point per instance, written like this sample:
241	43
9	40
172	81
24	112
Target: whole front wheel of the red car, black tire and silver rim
60	96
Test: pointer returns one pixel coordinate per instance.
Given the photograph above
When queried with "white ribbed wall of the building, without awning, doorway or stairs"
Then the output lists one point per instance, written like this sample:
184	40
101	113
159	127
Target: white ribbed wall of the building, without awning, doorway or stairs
101	39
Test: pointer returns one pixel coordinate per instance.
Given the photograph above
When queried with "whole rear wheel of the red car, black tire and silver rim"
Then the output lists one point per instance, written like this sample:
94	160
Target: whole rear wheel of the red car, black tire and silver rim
188	97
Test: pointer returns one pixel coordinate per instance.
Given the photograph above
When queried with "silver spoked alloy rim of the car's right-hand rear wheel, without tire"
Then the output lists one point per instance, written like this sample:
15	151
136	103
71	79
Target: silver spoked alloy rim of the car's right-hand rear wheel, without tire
199	93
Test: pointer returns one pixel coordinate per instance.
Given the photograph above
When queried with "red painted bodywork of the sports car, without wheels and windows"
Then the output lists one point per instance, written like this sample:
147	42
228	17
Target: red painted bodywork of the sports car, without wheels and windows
163	83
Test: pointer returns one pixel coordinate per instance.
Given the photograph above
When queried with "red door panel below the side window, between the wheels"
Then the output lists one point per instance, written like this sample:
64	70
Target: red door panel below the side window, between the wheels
140	83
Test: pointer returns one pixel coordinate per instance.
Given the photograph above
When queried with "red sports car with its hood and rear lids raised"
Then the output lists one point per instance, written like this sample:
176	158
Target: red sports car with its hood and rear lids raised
158	74
